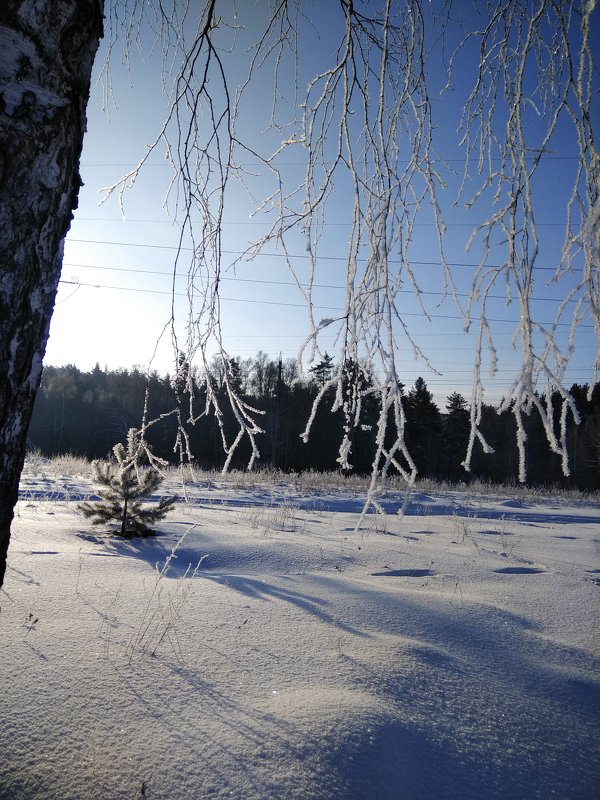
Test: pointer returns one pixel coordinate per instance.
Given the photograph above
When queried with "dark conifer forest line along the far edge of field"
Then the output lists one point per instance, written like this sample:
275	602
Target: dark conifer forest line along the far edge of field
87	413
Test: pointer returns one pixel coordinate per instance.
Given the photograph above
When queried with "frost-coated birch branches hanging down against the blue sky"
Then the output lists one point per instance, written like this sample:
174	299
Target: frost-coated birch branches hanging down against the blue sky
361	119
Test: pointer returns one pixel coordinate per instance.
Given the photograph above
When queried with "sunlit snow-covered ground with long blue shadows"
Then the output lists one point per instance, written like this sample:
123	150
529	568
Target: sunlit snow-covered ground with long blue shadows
279	653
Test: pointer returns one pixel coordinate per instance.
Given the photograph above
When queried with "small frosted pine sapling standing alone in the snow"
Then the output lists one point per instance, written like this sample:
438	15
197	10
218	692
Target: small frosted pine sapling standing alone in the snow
122	485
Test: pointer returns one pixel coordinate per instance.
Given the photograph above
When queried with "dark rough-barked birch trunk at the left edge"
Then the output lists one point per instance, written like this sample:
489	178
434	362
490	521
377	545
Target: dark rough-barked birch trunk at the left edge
47	49
